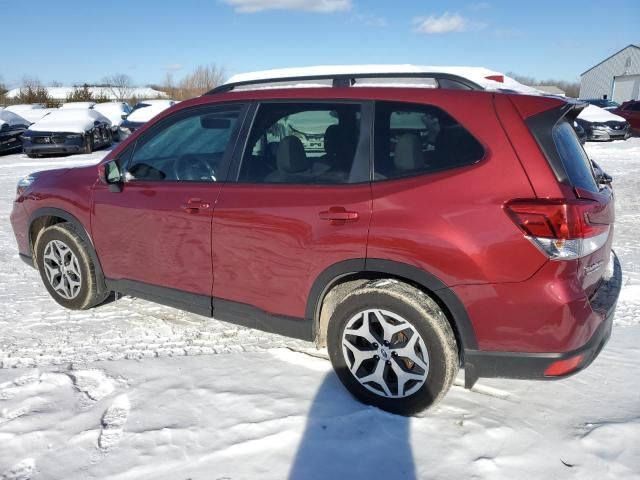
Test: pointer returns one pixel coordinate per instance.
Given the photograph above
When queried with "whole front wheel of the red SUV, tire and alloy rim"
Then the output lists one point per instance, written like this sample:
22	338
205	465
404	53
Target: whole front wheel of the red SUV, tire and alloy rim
66	268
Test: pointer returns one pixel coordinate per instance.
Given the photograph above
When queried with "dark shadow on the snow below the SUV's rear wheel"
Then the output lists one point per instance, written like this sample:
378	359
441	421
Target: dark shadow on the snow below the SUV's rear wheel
345	439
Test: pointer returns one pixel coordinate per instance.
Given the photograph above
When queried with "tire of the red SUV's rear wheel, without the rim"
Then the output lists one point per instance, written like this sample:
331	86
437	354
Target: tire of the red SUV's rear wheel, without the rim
425	316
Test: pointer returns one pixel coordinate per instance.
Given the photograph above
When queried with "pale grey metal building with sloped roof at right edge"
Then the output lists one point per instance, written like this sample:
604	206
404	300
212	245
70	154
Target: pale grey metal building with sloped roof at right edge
617	77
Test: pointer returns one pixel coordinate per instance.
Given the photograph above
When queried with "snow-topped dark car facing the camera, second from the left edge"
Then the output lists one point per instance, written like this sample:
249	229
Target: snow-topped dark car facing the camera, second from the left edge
68	131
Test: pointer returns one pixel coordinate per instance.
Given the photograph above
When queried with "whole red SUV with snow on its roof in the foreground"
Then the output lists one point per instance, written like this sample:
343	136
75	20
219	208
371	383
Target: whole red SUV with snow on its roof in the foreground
412	230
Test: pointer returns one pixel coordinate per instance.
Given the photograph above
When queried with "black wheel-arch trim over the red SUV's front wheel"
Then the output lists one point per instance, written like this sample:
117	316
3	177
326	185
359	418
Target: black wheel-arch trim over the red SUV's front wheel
45	217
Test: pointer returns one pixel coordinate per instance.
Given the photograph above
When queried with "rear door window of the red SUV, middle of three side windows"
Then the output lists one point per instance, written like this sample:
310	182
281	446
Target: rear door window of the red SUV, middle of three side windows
304	144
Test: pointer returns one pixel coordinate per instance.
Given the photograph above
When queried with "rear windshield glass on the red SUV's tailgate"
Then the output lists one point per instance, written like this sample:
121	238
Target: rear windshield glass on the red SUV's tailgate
574	158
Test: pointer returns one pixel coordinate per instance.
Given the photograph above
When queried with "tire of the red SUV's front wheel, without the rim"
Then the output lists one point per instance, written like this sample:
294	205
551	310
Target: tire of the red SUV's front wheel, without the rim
89	295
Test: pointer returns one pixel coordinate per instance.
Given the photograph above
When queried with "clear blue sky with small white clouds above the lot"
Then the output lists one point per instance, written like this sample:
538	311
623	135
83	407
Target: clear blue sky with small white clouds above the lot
76	41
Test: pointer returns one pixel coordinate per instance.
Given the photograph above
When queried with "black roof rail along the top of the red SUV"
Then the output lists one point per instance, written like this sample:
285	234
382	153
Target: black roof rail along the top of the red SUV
443	80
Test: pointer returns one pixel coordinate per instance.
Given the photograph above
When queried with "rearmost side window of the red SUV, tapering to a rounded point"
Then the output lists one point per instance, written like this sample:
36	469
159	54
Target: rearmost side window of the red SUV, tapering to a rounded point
416	139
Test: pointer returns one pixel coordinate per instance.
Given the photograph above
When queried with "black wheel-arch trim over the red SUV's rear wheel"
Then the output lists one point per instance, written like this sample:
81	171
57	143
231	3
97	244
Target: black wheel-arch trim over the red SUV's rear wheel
360	270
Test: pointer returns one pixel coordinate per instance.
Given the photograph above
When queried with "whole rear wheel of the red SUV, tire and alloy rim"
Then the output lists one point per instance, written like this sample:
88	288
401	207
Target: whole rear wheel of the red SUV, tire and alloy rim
393	347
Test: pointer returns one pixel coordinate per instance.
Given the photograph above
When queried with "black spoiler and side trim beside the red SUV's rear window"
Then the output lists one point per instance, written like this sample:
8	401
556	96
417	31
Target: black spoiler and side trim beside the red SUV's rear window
541	126
